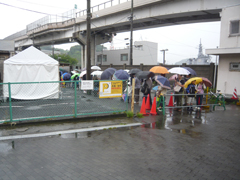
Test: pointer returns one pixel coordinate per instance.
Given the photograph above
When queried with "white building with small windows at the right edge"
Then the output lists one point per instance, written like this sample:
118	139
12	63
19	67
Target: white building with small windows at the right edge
229	51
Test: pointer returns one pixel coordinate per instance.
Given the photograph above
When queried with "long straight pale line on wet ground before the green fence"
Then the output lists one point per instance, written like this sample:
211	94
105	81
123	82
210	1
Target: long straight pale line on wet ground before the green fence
66	132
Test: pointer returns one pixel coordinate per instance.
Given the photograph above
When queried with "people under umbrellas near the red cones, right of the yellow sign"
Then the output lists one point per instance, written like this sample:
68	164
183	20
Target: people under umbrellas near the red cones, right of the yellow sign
193	93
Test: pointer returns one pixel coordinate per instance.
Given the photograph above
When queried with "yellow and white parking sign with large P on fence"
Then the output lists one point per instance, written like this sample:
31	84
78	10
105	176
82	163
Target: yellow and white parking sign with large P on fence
110	89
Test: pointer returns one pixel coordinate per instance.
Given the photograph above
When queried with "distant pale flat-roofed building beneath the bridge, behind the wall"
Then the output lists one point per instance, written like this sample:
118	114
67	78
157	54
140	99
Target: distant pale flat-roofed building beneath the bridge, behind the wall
143	52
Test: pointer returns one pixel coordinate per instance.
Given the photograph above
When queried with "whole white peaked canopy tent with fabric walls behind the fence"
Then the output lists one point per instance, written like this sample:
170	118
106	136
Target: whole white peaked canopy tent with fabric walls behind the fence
31	65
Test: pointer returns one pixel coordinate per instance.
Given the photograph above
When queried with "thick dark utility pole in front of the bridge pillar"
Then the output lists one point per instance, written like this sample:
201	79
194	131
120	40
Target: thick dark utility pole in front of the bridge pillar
88	39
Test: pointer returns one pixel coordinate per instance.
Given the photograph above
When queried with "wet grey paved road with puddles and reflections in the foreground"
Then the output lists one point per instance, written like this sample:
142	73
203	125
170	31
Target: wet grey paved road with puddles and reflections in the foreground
201	145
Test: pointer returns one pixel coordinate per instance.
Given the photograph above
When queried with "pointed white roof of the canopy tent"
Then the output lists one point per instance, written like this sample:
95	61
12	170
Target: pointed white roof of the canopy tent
31	55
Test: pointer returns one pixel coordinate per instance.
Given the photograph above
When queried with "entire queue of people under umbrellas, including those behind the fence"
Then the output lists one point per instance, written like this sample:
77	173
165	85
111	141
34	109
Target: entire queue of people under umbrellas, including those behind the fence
193	92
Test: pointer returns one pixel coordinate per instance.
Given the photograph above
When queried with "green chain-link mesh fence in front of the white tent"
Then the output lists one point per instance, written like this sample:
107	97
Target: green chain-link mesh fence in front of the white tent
54	100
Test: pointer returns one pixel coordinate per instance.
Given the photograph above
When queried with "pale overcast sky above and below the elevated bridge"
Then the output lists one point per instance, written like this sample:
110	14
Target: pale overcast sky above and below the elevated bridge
181	40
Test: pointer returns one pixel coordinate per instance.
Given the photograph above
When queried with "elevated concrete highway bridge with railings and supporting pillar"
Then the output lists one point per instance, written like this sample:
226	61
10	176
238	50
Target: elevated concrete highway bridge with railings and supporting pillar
113	17
